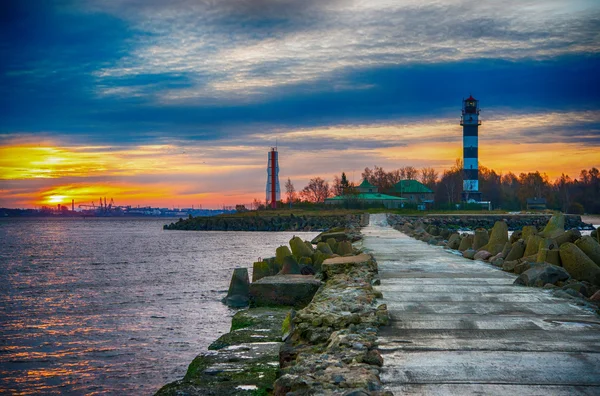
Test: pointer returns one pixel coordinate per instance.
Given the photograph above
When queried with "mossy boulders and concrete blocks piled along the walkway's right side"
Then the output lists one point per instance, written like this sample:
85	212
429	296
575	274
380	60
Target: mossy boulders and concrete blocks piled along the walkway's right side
545	256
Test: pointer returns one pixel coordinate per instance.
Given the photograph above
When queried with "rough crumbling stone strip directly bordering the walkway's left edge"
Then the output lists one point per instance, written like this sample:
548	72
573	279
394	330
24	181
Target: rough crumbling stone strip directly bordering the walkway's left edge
331	348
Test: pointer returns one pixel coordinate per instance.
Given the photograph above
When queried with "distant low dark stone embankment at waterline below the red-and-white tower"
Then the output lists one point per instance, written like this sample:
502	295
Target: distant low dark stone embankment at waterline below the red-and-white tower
269	222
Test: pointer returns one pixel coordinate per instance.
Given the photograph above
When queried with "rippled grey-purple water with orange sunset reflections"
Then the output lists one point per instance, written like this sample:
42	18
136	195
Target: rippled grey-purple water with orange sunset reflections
94	306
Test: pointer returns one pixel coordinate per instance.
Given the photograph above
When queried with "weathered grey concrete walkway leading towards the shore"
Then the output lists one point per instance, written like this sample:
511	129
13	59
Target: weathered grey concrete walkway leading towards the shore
460	327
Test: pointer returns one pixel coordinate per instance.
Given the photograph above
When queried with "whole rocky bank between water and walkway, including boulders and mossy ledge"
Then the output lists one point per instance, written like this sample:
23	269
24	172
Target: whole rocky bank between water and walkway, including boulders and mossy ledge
310	329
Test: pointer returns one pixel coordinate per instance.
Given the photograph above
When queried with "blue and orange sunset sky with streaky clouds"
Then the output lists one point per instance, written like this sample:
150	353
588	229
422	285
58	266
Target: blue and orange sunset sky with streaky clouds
176	103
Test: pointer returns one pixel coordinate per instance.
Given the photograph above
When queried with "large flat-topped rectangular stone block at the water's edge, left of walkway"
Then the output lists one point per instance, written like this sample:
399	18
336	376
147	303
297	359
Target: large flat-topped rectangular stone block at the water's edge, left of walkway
292	290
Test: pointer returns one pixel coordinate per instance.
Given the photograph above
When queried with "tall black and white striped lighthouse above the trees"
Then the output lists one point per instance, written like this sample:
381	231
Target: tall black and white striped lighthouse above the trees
470	123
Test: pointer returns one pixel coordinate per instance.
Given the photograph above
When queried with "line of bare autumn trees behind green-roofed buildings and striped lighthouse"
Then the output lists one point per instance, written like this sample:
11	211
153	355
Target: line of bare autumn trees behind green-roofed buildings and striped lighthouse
505	191
